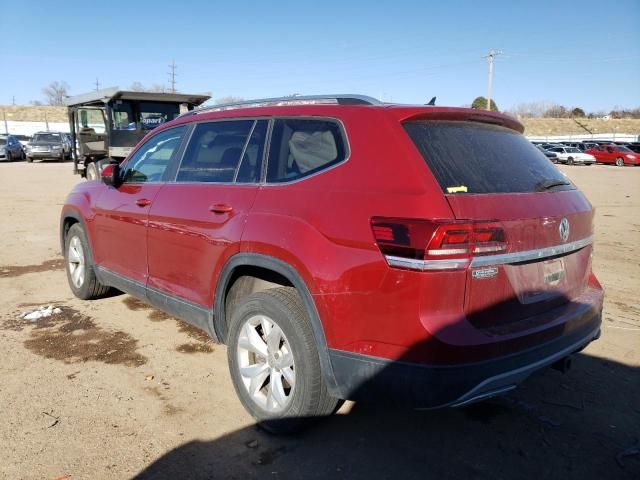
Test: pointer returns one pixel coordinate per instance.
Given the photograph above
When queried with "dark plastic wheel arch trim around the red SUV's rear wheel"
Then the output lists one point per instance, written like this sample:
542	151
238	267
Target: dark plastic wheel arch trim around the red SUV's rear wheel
270	270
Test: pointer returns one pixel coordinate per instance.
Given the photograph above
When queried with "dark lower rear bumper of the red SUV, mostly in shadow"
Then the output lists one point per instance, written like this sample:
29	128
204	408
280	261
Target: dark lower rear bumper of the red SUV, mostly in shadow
361	377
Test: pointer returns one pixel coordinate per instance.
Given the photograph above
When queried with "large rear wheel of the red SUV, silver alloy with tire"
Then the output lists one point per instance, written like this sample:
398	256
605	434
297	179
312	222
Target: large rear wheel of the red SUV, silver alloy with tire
290	362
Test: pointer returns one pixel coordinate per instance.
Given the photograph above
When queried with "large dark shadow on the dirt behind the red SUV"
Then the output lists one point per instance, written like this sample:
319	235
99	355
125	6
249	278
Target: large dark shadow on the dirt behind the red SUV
583	424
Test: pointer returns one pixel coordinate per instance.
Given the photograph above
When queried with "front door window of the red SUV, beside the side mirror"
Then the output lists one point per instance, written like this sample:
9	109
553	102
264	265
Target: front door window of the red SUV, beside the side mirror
150	161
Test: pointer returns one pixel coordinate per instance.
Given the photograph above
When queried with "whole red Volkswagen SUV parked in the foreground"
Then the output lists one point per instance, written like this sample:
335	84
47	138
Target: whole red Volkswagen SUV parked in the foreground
347	249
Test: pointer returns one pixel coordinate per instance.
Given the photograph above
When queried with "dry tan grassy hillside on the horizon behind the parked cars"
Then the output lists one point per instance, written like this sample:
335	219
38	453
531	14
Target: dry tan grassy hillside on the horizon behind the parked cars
534	126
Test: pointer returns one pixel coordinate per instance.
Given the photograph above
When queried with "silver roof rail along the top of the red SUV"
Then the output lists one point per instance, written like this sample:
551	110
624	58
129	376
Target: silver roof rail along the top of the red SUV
293	100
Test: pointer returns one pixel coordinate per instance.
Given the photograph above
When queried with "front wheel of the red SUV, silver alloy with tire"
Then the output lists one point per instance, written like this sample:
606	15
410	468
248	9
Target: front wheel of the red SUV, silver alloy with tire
79	266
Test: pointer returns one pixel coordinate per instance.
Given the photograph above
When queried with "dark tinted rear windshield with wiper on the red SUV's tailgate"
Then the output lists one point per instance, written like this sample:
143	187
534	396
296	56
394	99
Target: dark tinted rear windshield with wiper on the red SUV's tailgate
472	157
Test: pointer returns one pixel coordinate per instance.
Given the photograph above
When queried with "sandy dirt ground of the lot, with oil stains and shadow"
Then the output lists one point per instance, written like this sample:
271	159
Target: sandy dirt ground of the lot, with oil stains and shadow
114	389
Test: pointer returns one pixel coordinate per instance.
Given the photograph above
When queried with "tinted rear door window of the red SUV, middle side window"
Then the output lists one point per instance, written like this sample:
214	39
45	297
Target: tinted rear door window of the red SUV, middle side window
214	151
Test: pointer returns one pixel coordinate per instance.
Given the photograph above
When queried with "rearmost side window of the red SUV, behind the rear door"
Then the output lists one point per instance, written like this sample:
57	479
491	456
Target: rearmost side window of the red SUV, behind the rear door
301	147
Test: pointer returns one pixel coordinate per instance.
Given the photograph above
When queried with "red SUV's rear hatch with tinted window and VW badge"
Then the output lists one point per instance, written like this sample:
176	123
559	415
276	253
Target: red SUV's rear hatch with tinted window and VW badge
491	175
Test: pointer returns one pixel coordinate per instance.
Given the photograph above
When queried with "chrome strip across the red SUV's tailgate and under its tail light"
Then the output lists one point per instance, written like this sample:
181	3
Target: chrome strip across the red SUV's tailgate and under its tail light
489	260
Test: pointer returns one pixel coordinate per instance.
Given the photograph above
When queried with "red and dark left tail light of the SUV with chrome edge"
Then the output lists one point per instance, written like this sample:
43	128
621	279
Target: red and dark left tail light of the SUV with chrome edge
436	245
